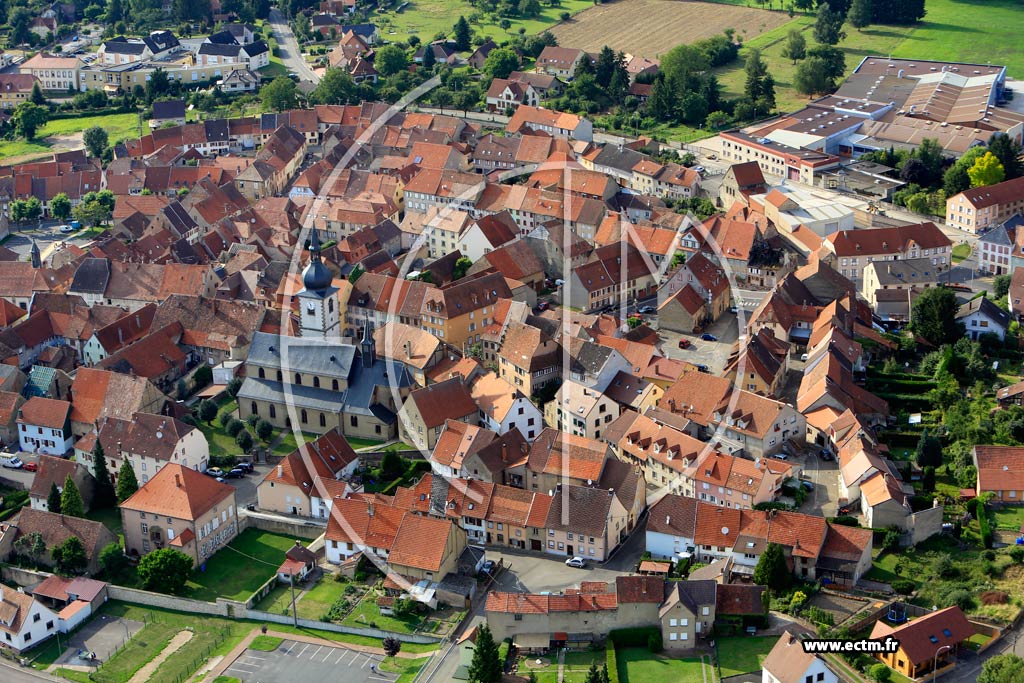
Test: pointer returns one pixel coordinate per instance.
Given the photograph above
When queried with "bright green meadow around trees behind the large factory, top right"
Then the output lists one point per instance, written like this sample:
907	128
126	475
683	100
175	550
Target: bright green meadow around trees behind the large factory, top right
954	30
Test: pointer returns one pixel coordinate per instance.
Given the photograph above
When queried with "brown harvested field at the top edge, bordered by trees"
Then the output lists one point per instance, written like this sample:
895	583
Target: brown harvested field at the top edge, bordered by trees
652	28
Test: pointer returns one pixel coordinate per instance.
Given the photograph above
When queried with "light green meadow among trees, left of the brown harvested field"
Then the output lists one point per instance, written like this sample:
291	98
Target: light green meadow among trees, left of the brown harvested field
426	18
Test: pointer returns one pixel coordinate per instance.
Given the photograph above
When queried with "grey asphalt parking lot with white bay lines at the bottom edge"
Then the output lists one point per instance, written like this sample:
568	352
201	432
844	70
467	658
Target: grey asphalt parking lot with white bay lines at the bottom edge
296	661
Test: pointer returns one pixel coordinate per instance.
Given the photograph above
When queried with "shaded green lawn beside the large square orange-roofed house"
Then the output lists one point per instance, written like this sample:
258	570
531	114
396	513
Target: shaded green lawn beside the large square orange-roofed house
237	575
